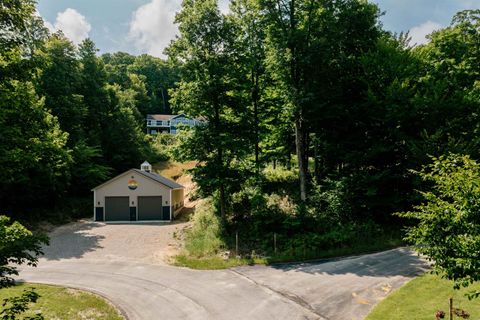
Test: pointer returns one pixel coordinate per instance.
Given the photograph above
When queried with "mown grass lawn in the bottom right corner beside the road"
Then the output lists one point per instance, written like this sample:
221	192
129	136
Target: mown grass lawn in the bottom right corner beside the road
420	298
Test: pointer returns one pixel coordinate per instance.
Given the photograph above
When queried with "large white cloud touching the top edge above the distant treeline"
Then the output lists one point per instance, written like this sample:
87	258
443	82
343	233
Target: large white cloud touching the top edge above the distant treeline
152	26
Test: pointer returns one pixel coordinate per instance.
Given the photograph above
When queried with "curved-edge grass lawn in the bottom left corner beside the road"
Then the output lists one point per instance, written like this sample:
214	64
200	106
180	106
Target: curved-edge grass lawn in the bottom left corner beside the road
64	303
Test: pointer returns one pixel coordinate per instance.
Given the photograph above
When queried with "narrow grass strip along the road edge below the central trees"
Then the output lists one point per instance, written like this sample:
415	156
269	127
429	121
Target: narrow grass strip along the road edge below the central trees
215	263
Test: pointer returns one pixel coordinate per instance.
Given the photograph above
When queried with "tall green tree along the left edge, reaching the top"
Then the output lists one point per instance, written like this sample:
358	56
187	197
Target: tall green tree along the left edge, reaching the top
33	153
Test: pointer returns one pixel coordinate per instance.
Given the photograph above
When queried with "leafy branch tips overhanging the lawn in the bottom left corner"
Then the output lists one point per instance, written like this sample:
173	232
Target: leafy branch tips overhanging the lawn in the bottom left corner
16	306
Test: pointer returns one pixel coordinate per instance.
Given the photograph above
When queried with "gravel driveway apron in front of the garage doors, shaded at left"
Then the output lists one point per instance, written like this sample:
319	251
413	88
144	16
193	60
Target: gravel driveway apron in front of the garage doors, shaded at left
151	243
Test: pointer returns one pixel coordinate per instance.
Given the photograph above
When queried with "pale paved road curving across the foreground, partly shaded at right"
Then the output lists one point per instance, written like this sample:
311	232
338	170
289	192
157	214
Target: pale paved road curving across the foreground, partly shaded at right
338	289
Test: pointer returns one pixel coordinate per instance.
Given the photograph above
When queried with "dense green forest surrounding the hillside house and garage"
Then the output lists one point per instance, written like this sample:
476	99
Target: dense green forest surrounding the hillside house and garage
317	116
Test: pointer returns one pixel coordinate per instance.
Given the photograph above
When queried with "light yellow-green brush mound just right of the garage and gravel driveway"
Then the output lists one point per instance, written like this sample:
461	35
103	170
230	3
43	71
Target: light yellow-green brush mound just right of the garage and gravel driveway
204	238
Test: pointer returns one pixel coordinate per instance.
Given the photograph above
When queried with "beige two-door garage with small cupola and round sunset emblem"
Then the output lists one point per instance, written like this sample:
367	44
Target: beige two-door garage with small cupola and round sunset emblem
138	195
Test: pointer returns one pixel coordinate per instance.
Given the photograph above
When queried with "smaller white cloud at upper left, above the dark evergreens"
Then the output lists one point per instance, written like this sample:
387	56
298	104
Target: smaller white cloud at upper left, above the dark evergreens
73	25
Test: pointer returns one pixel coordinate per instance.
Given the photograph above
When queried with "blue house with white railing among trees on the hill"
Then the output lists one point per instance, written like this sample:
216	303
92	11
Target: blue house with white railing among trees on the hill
158	123
